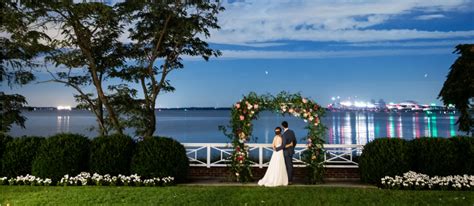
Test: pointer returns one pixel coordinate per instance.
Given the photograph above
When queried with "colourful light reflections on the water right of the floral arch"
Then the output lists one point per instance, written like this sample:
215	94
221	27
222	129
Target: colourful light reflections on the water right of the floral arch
363	127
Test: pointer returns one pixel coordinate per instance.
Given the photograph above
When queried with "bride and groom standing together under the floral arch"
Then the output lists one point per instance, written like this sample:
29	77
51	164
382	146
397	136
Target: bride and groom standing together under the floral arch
280	168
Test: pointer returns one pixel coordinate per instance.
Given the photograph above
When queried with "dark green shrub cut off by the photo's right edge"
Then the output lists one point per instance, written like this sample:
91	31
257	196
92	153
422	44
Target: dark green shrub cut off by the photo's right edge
465	155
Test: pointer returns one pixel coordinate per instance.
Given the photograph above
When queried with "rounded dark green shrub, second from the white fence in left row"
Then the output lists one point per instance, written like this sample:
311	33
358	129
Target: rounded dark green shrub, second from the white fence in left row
111	155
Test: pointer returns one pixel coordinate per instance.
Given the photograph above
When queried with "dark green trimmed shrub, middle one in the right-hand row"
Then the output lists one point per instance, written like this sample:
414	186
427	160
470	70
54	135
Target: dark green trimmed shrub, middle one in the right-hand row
433	156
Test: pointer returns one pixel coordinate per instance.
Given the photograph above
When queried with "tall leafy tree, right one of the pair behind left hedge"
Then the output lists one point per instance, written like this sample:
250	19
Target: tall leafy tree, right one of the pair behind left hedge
161	32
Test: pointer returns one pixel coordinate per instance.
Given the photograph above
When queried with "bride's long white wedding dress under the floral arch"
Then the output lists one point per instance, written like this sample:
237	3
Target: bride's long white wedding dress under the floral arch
276	173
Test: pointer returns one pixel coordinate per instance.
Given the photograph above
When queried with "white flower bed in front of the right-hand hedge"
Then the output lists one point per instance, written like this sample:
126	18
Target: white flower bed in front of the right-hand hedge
413	180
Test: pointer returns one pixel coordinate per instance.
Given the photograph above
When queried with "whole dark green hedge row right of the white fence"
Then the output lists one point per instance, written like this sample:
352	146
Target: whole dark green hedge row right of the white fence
431	156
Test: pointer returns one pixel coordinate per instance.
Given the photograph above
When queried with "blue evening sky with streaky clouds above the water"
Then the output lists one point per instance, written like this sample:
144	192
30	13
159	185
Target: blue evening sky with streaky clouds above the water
394	50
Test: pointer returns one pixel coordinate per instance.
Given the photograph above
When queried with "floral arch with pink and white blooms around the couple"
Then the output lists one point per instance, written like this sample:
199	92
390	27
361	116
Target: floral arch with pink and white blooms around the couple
248	109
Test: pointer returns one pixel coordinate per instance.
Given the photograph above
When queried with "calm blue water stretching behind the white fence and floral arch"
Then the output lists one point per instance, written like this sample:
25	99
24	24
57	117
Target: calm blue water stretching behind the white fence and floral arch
201	126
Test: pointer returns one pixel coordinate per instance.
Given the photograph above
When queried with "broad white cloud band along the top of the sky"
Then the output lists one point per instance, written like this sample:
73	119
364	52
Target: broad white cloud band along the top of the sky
338	20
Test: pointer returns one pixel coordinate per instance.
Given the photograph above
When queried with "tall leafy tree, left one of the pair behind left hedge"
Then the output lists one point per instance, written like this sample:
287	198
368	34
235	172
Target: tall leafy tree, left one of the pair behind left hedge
89	48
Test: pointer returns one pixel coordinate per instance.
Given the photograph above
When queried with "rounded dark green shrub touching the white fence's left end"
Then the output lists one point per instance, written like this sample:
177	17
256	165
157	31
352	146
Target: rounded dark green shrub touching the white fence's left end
160	157
